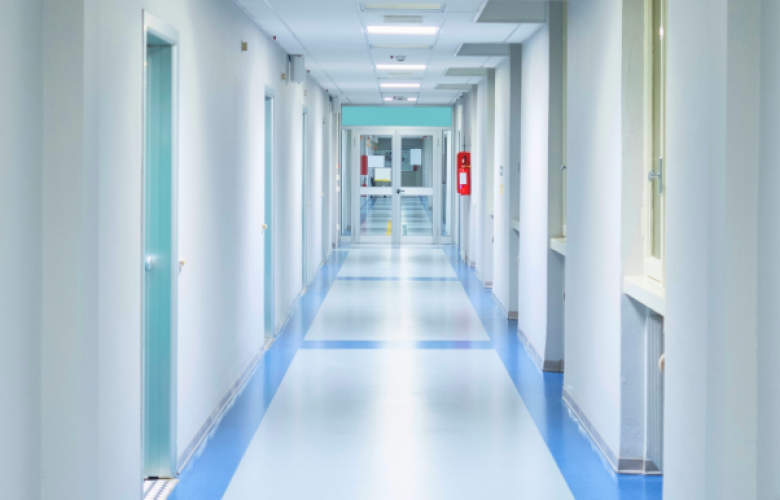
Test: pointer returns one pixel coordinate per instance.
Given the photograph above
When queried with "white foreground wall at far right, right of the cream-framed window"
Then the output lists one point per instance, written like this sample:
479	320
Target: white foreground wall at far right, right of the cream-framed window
713	256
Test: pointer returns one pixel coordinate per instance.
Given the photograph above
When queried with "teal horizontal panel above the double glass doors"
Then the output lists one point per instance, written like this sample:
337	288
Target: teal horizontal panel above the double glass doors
395	116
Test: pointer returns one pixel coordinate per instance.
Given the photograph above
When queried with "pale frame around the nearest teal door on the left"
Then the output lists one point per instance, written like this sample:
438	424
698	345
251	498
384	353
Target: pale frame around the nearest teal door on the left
161	29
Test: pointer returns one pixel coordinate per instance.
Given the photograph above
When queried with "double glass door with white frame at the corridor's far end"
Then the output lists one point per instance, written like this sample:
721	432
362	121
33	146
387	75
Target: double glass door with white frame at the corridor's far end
394	172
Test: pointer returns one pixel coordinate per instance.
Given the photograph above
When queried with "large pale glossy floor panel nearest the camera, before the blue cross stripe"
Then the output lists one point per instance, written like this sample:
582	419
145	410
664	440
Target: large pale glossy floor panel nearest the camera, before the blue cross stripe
397	424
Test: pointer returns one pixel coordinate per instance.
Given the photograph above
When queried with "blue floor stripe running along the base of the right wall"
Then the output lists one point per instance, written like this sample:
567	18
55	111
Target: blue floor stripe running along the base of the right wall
585	470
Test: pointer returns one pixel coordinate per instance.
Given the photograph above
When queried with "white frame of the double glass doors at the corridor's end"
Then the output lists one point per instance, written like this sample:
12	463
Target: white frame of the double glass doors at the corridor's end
396	133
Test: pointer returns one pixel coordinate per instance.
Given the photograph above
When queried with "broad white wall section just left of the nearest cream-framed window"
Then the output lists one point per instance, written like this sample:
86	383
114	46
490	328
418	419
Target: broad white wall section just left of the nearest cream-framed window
593	249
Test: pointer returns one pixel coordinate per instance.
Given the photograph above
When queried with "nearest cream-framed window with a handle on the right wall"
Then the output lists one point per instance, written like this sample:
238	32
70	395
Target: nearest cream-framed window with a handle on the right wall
656	167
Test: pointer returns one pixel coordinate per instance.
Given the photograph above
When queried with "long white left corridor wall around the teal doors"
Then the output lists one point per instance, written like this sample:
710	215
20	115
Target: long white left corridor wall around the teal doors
74	190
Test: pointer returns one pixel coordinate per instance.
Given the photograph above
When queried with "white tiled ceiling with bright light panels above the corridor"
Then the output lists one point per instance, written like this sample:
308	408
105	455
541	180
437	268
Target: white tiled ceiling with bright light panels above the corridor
339	54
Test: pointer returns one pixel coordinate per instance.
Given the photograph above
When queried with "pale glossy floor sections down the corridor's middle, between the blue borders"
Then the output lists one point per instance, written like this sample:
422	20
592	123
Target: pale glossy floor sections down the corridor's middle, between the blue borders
397	423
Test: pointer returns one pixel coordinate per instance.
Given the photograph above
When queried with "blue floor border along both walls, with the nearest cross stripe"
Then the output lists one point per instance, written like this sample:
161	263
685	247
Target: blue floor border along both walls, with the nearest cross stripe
210	471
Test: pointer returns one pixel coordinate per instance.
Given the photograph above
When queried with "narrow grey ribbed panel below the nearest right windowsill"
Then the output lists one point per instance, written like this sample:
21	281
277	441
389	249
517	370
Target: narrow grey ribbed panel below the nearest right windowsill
654	420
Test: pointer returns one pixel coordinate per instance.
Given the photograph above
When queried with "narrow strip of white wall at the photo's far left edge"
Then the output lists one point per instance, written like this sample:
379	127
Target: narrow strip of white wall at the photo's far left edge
21	132
